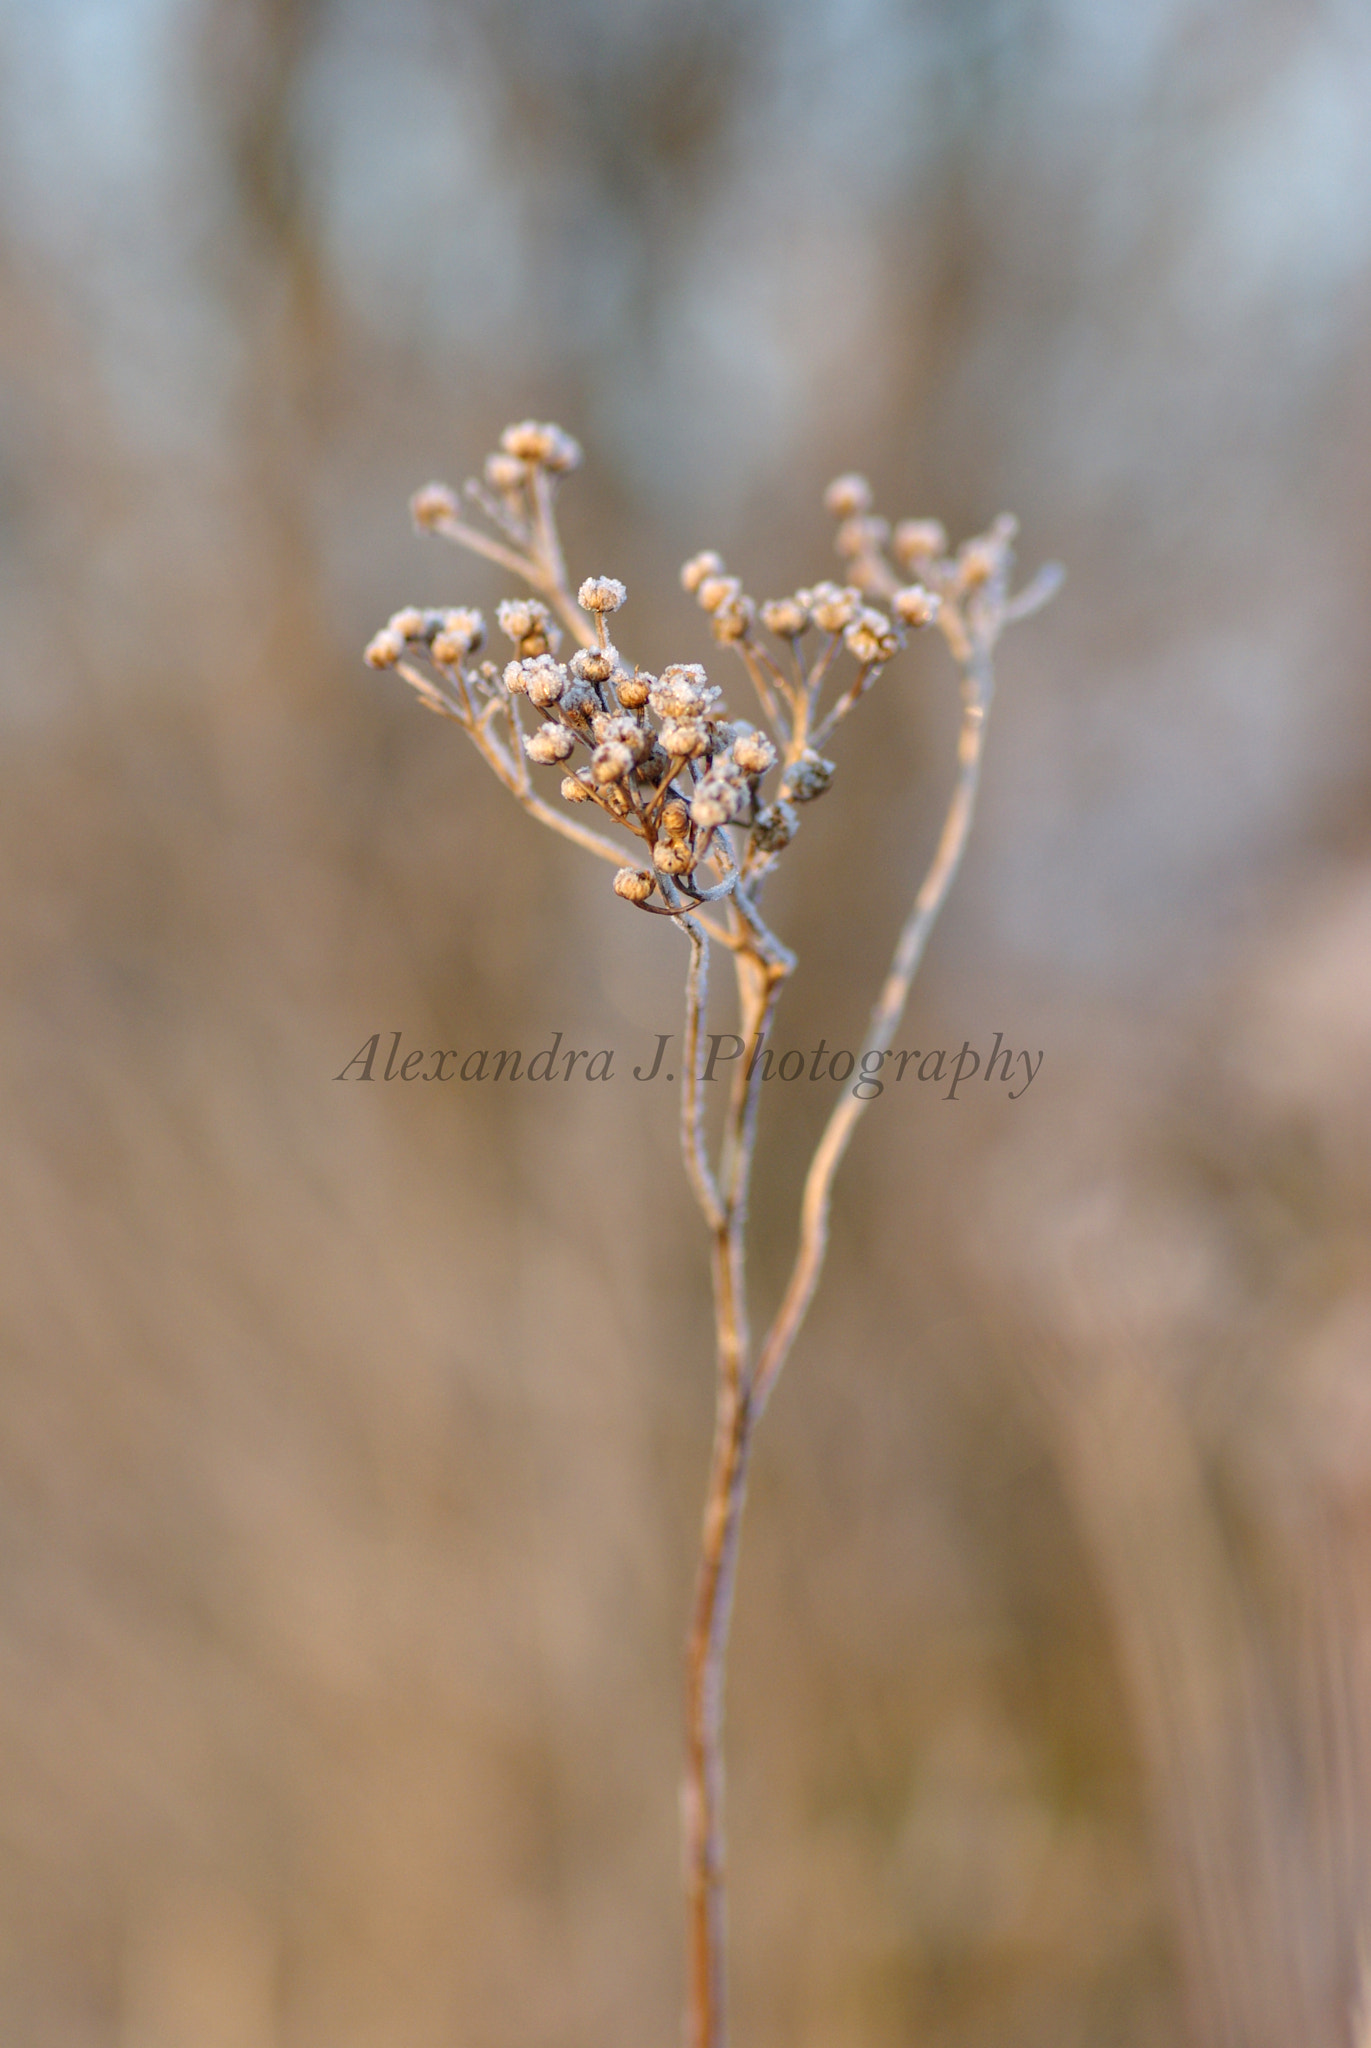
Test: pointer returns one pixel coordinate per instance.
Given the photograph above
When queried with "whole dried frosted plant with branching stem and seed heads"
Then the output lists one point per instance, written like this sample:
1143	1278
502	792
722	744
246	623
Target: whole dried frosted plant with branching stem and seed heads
704	806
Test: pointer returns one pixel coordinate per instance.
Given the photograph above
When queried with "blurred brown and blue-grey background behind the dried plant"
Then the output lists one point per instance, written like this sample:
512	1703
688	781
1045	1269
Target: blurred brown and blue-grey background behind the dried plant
354	1443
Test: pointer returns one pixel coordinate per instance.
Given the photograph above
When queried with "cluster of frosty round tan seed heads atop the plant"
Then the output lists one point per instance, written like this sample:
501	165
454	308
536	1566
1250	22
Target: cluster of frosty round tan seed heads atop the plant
712	800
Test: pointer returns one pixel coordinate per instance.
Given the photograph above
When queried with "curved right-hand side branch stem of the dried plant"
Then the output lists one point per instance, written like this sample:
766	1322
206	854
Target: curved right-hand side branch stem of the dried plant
979	689
